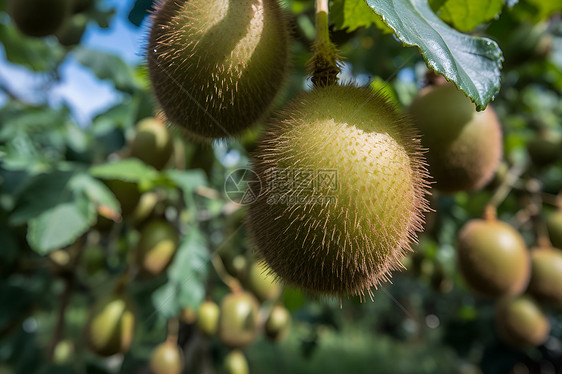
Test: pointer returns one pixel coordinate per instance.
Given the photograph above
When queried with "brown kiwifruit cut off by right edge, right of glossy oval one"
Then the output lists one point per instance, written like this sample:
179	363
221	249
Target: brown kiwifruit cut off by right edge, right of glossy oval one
546	275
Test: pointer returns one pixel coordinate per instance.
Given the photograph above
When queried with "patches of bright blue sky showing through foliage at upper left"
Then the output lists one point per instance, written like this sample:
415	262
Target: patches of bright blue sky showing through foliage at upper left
83	92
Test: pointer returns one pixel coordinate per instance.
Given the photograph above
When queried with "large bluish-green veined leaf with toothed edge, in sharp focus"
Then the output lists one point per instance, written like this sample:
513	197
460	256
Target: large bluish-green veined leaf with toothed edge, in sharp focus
472	63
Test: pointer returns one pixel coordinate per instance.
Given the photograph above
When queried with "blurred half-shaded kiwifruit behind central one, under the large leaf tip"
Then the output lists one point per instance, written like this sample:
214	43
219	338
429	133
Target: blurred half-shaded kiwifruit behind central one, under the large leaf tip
464	146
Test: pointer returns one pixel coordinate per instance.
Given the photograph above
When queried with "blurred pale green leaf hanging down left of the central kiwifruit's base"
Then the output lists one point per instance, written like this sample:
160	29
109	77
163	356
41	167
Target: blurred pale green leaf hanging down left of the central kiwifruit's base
186	277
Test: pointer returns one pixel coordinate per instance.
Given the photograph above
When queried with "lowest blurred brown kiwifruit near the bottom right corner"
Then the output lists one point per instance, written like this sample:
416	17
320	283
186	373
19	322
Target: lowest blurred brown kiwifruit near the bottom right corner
521	323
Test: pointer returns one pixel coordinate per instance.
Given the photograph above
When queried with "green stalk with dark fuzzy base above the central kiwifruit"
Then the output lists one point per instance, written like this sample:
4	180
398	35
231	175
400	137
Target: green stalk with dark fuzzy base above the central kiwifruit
325	64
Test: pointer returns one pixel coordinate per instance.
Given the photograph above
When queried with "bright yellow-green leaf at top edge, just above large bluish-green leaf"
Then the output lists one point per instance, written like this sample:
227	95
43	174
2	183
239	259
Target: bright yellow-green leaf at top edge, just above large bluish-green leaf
465	15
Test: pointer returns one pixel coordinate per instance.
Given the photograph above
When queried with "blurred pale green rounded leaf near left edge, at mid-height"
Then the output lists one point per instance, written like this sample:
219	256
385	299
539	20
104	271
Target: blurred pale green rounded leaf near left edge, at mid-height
61	225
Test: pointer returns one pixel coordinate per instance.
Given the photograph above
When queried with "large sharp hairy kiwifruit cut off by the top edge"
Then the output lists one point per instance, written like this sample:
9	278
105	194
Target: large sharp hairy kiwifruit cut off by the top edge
217	65
